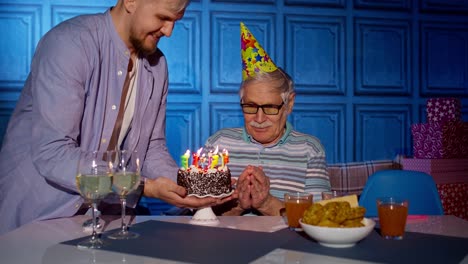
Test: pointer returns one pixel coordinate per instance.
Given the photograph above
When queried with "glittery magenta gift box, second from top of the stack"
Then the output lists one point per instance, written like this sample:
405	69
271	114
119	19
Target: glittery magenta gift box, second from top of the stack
448	139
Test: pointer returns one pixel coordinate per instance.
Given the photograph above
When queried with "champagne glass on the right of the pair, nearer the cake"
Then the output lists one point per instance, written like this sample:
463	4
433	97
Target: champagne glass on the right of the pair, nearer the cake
125	180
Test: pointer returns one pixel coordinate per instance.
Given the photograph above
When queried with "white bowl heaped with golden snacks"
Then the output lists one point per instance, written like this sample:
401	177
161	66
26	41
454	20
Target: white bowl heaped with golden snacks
336	224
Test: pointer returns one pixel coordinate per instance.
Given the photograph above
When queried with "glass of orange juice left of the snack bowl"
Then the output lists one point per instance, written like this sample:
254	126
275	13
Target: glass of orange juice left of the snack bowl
295	204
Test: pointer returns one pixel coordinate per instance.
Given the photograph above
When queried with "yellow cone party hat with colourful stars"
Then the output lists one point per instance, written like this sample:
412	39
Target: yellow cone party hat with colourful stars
254	57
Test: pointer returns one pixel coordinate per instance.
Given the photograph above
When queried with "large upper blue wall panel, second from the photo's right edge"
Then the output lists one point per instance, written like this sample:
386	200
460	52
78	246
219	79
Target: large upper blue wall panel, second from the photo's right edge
382	56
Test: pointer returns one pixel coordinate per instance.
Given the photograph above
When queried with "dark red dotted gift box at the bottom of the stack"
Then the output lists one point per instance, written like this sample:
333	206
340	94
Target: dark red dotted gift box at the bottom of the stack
454	198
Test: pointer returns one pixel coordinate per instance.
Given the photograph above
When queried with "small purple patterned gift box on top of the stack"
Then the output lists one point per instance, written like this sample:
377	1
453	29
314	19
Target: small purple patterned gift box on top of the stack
443	109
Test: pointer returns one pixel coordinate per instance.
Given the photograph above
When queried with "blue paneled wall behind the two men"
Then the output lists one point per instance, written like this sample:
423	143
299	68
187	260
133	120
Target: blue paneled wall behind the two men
363	69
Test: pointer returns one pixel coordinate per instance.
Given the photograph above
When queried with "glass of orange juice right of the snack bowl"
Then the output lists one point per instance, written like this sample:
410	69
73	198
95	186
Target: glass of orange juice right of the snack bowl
393	212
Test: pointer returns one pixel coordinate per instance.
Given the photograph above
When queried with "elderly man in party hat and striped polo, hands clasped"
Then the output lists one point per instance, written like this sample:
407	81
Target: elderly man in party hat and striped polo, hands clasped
268	156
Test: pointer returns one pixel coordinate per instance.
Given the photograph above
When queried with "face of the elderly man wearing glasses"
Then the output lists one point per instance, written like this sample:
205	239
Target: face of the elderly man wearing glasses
266	129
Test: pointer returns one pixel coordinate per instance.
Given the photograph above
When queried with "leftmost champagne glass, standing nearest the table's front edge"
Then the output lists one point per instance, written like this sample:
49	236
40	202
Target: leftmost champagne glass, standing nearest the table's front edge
94	181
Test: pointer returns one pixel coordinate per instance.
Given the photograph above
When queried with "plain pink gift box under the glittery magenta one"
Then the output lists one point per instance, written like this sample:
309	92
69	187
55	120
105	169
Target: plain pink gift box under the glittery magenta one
442	170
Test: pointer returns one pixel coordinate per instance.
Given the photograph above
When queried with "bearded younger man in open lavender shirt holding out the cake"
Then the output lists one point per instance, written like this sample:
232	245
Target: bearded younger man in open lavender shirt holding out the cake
97	82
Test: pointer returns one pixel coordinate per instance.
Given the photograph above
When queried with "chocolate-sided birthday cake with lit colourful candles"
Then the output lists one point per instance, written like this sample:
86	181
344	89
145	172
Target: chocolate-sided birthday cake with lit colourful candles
206	176
